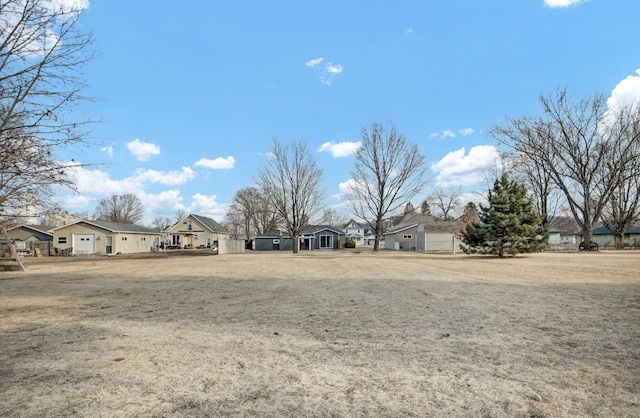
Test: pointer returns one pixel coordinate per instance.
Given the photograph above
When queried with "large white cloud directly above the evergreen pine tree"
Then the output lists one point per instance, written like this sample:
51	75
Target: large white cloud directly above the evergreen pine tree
457	168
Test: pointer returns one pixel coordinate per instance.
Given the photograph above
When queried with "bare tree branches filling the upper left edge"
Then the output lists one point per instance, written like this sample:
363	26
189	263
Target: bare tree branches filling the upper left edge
42	54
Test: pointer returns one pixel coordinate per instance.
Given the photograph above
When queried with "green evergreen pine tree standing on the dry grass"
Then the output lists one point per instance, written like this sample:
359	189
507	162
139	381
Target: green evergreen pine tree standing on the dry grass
508	226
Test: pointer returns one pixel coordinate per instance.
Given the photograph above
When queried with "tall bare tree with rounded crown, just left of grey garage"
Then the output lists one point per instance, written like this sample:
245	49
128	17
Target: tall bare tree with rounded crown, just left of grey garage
388	173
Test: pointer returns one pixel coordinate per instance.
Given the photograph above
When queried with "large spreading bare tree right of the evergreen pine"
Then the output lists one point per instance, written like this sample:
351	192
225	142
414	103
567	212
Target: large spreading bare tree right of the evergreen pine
574	143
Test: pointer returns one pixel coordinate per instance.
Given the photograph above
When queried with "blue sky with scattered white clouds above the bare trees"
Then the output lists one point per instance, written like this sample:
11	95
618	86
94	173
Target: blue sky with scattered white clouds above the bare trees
191	94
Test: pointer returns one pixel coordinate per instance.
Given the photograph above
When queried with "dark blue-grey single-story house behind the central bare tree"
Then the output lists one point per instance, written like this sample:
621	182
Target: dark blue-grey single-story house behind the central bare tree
313	237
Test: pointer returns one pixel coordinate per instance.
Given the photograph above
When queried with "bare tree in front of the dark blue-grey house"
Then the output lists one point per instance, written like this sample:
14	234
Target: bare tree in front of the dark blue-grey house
291	180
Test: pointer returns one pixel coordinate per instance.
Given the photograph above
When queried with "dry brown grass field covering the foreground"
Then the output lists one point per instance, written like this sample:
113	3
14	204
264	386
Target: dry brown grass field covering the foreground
321	334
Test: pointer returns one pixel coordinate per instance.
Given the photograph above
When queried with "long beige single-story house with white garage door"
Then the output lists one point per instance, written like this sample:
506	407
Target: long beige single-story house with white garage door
102	237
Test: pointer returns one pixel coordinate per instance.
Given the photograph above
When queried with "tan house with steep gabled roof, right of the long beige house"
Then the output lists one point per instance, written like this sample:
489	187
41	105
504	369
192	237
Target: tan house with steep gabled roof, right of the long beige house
195	231
